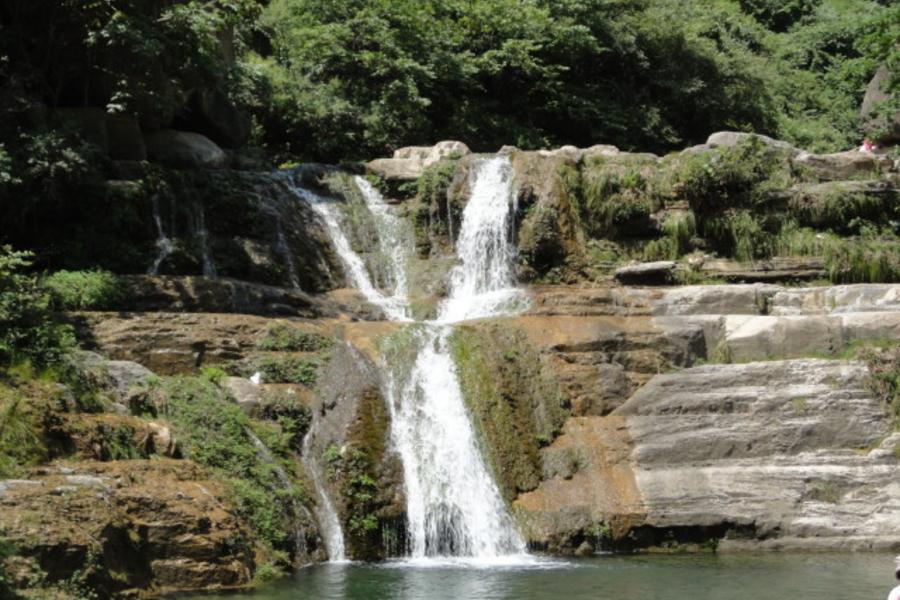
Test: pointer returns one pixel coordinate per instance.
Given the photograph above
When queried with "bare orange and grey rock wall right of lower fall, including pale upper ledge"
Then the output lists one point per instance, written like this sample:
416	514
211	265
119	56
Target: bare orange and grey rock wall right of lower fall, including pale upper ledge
781	454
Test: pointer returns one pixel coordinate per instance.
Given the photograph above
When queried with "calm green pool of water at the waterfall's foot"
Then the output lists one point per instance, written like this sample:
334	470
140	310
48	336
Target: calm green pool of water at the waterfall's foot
680	577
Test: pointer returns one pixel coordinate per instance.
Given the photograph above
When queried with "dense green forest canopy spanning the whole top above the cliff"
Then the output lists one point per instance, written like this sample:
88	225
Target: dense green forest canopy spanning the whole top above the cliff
336	80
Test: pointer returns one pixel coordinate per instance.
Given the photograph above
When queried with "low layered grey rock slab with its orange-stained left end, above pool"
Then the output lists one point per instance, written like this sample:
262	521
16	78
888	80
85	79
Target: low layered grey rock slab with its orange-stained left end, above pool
757	455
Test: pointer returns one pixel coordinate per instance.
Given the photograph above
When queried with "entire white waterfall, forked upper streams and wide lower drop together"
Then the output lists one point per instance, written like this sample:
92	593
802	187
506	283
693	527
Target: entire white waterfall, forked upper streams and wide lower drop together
454	508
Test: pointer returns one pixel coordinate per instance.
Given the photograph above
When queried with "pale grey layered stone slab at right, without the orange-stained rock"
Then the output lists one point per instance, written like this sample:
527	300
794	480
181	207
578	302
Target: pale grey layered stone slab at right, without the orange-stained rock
766	451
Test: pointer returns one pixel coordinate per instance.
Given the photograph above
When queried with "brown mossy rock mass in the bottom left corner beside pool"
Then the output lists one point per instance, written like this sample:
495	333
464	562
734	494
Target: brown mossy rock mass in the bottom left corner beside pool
149	526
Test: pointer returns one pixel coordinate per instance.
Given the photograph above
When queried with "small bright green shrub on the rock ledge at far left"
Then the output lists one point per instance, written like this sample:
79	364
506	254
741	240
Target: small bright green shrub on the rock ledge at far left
83	290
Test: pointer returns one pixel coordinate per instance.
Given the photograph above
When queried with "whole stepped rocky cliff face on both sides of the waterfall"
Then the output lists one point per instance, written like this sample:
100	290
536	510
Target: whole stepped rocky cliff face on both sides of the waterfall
613	415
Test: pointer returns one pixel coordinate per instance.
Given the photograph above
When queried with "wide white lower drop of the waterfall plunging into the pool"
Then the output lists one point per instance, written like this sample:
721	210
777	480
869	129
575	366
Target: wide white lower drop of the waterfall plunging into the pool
454	508
